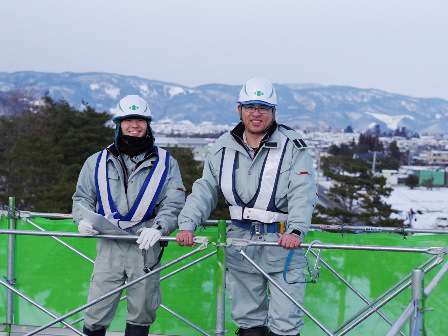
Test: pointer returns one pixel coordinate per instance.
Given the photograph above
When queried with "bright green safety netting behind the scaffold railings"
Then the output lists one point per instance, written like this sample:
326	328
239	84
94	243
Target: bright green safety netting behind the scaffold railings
58	279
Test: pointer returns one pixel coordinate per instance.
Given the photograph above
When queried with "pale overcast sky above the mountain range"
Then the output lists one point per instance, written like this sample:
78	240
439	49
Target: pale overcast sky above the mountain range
398	46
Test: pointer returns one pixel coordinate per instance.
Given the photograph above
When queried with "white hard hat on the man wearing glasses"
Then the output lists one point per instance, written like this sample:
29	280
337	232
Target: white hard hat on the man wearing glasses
258	90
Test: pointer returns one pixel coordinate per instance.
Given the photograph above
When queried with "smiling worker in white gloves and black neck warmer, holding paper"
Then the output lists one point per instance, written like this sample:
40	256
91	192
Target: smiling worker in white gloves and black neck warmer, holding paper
137	187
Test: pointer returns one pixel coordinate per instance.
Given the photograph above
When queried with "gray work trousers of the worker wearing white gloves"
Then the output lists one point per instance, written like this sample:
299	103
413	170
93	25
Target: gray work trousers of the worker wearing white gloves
118	262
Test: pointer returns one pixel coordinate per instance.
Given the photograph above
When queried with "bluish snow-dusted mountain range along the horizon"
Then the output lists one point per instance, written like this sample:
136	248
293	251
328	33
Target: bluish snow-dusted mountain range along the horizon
300	105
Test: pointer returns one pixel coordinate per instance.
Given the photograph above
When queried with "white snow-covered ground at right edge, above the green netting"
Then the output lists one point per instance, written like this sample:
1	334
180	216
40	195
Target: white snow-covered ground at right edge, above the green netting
428	205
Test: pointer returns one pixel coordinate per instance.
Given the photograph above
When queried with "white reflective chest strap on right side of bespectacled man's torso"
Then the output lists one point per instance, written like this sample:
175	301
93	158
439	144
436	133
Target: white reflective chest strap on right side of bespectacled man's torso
267	188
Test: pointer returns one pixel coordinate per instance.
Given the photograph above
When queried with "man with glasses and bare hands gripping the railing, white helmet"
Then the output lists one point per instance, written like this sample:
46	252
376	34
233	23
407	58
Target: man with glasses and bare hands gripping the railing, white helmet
266	175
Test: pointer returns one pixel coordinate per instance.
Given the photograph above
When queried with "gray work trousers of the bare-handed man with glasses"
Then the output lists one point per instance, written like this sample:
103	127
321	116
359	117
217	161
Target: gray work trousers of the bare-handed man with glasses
256	302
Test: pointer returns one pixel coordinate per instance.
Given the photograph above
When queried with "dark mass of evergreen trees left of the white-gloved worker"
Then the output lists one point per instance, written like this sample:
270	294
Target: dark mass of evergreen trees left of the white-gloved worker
43	153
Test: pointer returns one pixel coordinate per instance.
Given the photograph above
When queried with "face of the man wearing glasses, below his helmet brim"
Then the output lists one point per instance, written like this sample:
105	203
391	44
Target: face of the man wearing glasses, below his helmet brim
256	118
